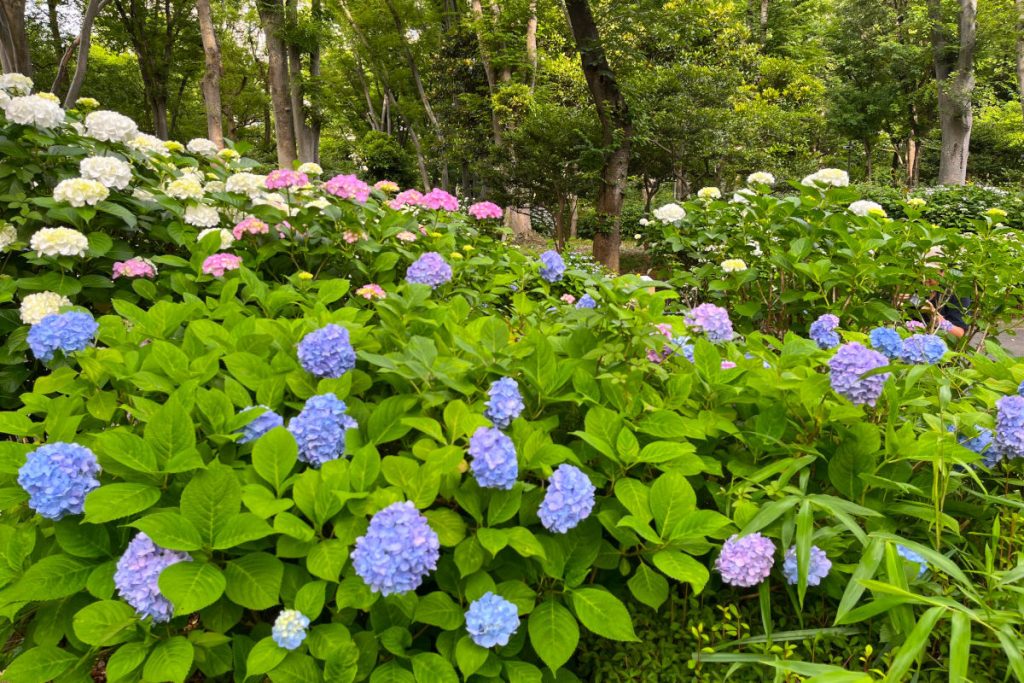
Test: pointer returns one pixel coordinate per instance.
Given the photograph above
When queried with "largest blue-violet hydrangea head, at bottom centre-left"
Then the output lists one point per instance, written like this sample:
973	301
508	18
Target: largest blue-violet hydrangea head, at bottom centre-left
399	550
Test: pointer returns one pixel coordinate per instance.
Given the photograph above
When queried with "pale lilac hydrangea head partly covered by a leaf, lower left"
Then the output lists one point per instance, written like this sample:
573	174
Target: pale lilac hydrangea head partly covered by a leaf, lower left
137	577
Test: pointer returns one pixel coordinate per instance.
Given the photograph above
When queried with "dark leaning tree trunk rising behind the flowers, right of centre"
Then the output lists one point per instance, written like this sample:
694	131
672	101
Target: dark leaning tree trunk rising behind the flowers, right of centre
617	132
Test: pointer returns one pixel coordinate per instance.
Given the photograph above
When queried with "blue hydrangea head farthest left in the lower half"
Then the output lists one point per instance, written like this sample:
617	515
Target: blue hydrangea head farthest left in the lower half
58	478
